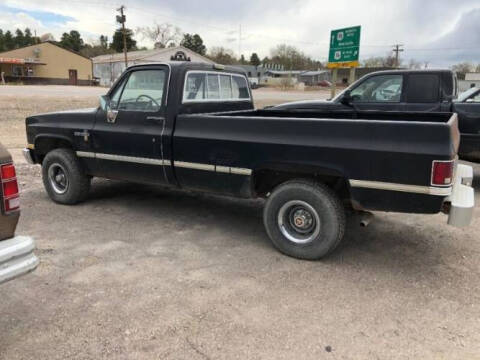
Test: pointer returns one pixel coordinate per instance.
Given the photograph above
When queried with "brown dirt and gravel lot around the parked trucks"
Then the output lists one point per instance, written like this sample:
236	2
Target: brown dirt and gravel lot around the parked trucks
140	272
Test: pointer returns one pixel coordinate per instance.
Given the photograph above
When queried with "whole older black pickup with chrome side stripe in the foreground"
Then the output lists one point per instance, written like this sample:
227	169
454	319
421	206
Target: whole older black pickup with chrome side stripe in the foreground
194	126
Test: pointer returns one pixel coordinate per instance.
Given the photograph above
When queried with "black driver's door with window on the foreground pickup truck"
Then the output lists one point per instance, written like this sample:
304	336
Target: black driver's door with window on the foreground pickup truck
127	134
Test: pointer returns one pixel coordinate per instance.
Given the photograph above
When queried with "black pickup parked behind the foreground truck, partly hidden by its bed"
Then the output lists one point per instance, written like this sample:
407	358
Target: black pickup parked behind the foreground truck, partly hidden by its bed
409	90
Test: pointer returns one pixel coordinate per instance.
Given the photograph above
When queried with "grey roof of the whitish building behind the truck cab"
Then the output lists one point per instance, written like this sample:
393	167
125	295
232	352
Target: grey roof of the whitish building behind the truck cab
145	55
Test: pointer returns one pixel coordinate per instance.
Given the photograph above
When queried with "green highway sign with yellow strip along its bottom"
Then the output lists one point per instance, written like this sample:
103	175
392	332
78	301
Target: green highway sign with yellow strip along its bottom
344	47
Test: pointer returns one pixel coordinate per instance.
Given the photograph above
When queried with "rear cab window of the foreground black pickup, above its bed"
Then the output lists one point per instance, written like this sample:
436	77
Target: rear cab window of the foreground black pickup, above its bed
214	86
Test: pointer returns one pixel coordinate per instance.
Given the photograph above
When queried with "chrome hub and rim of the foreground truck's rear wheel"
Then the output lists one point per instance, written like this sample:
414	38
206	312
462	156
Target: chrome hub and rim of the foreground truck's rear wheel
299	222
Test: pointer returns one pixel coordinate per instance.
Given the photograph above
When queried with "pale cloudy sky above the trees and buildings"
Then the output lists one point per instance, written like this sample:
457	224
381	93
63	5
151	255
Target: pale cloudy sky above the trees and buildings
440	32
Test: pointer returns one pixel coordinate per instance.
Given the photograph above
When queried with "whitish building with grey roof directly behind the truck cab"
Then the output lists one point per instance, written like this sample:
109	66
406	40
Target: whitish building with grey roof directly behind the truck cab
107	68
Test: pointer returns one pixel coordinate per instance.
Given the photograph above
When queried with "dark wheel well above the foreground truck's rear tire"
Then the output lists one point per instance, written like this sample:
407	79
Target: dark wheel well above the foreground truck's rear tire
264	181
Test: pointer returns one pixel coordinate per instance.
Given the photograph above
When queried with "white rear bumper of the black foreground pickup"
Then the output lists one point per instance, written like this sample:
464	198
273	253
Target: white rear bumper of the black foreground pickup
462	199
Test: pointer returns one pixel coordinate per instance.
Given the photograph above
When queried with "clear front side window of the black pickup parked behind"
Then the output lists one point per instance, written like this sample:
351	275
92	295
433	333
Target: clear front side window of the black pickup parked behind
380	88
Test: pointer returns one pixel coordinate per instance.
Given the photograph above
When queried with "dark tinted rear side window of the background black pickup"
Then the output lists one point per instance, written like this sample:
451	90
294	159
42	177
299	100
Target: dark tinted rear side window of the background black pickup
423	88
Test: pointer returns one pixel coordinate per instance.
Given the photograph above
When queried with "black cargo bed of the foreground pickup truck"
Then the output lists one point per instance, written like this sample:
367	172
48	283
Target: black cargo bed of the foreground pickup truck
387	148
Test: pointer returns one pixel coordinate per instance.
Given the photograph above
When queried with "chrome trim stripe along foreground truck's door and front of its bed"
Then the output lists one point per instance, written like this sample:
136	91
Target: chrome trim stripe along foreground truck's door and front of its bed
178	164
